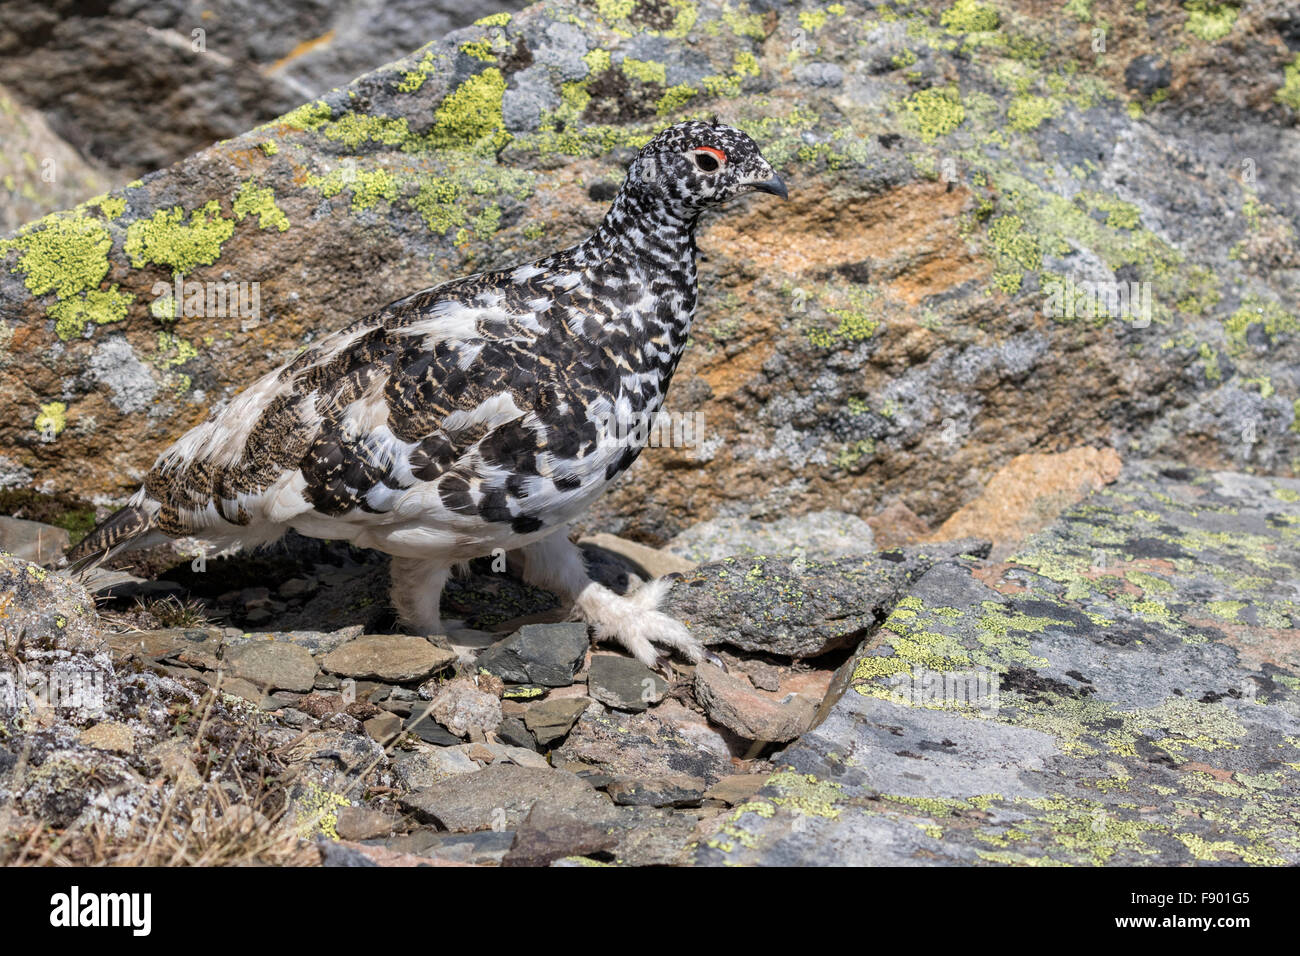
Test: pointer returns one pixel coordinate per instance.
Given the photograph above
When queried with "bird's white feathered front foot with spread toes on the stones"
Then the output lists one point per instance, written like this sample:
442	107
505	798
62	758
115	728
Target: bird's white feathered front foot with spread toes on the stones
635	622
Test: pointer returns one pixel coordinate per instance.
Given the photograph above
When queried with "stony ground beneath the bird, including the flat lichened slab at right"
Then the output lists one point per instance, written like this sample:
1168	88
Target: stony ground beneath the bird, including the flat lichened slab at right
1124	689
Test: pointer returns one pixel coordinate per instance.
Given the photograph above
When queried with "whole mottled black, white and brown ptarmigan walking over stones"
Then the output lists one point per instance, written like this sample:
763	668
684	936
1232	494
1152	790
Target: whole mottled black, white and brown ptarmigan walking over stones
480	414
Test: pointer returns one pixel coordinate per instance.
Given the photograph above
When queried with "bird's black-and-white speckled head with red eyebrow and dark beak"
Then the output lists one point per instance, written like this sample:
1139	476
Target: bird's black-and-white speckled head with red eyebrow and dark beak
696	165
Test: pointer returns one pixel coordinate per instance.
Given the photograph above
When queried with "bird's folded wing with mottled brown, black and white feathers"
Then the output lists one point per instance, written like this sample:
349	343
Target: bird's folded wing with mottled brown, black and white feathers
471	403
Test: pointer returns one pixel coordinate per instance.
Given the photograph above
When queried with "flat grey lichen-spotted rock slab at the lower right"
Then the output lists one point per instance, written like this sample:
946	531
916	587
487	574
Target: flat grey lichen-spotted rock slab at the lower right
1121	691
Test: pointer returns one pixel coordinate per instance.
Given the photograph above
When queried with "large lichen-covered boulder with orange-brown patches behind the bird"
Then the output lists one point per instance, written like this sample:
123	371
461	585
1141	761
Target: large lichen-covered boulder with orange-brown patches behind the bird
924	310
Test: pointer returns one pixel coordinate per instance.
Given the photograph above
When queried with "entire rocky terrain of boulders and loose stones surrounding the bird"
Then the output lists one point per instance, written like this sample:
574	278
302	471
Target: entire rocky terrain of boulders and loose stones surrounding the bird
994	582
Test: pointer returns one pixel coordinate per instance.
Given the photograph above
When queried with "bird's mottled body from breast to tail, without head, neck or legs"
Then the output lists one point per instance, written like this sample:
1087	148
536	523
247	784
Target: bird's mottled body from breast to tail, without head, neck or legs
466	416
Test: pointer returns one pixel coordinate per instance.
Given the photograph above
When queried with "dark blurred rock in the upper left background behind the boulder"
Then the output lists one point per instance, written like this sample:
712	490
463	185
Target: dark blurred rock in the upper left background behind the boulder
141	86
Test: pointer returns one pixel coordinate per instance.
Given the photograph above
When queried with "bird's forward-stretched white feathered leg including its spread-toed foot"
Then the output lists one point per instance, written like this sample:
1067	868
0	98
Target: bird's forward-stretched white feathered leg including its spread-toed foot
632	621
